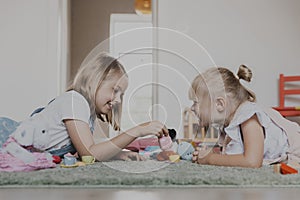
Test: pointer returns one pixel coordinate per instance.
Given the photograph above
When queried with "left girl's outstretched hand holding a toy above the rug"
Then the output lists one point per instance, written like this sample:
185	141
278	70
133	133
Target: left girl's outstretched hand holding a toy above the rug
152	128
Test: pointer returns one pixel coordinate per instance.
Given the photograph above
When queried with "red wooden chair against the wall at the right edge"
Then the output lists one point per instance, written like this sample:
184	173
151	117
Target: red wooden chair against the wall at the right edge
288	86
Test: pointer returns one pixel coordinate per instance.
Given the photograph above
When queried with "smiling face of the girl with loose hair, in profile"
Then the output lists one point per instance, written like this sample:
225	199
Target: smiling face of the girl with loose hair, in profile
110	93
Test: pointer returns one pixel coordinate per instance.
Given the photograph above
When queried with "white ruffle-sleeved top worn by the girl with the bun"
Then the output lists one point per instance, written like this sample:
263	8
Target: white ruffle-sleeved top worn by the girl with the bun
275	143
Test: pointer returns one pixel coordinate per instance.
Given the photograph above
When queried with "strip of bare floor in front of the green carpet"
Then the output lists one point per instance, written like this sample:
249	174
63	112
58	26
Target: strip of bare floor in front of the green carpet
149	194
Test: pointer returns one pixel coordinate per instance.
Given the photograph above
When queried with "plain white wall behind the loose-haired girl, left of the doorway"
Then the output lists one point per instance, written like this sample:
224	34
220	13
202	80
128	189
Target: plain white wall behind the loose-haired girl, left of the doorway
31	55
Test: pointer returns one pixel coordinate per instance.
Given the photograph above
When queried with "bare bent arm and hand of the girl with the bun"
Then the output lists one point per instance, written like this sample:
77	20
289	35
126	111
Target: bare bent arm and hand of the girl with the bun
253	149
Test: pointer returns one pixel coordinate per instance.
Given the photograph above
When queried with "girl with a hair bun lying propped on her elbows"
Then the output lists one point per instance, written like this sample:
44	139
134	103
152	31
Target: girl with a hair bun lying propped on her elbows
249	135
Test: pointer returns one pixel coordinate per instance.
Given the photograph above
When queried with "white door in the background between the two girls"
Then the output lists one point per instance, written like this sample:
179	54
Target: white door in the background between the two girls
131	42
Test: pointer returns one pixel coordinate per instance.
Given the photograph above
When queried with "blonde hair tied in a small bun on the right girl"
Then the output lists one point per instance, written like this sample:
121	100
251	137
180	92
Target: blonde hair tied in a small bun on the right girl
218	81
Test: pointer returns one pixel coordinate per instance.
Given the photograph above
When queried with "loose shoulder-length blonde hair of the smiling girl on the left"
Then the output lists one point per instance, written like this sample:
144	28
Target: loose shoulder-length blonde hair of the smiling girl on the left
90	77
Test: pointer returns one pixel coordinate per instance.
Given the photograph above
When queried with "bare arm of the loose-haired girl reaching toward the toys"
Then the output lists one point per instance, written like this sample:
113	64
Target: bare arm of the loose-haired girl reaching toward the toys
82	138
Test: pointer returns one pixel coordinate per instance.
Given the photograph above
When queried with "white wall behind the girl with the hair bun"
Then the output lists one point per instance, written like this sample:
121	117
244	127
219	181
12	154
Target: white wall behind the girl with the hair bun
265	35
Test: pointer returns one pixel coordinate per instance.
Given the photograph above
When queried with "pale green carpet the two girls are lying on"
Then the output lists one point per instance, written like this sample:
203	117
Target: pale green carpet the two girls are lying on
149	174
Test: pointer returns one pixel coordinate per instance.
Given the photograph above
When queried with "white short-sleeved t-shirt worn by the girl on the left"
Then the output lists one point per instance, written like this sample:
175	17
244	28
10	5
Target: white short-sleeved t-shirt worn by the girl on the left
46	130
